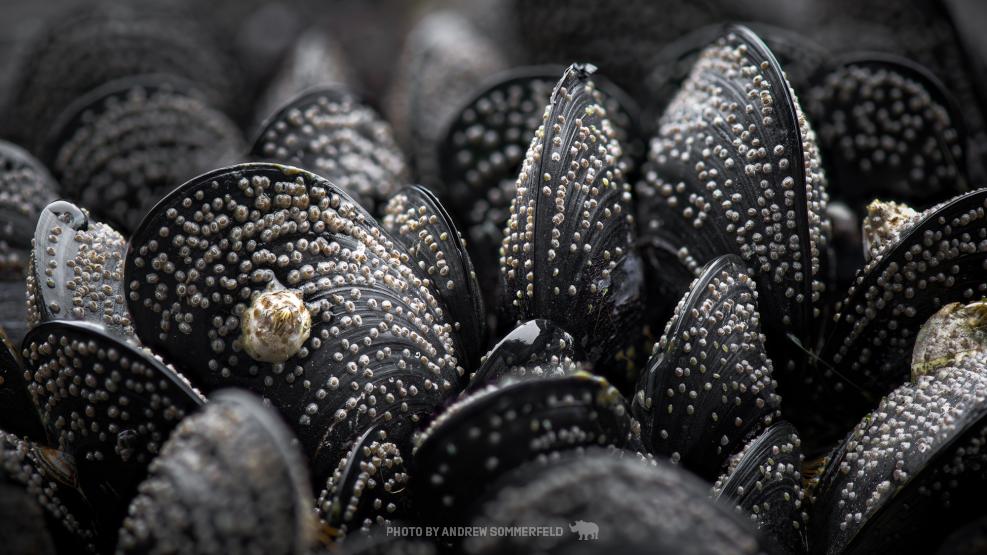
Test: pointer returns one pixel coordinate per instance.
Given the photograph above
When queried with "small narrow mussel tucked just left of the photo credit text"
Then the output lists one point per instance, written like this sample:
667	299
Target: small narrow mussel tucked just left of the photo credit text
369	490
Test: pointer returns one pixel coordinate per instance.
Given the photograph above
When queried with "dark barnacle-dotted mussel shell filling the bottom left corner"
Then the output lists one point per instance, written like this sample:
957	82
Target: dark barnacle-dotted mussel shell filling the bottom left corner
41	508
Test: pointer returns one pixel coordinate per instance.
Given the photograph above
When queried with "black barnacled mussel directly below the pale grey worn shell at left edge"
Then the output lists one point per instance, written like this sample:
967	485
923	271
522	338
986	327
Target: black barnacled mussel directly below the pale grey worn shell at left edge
107	403
